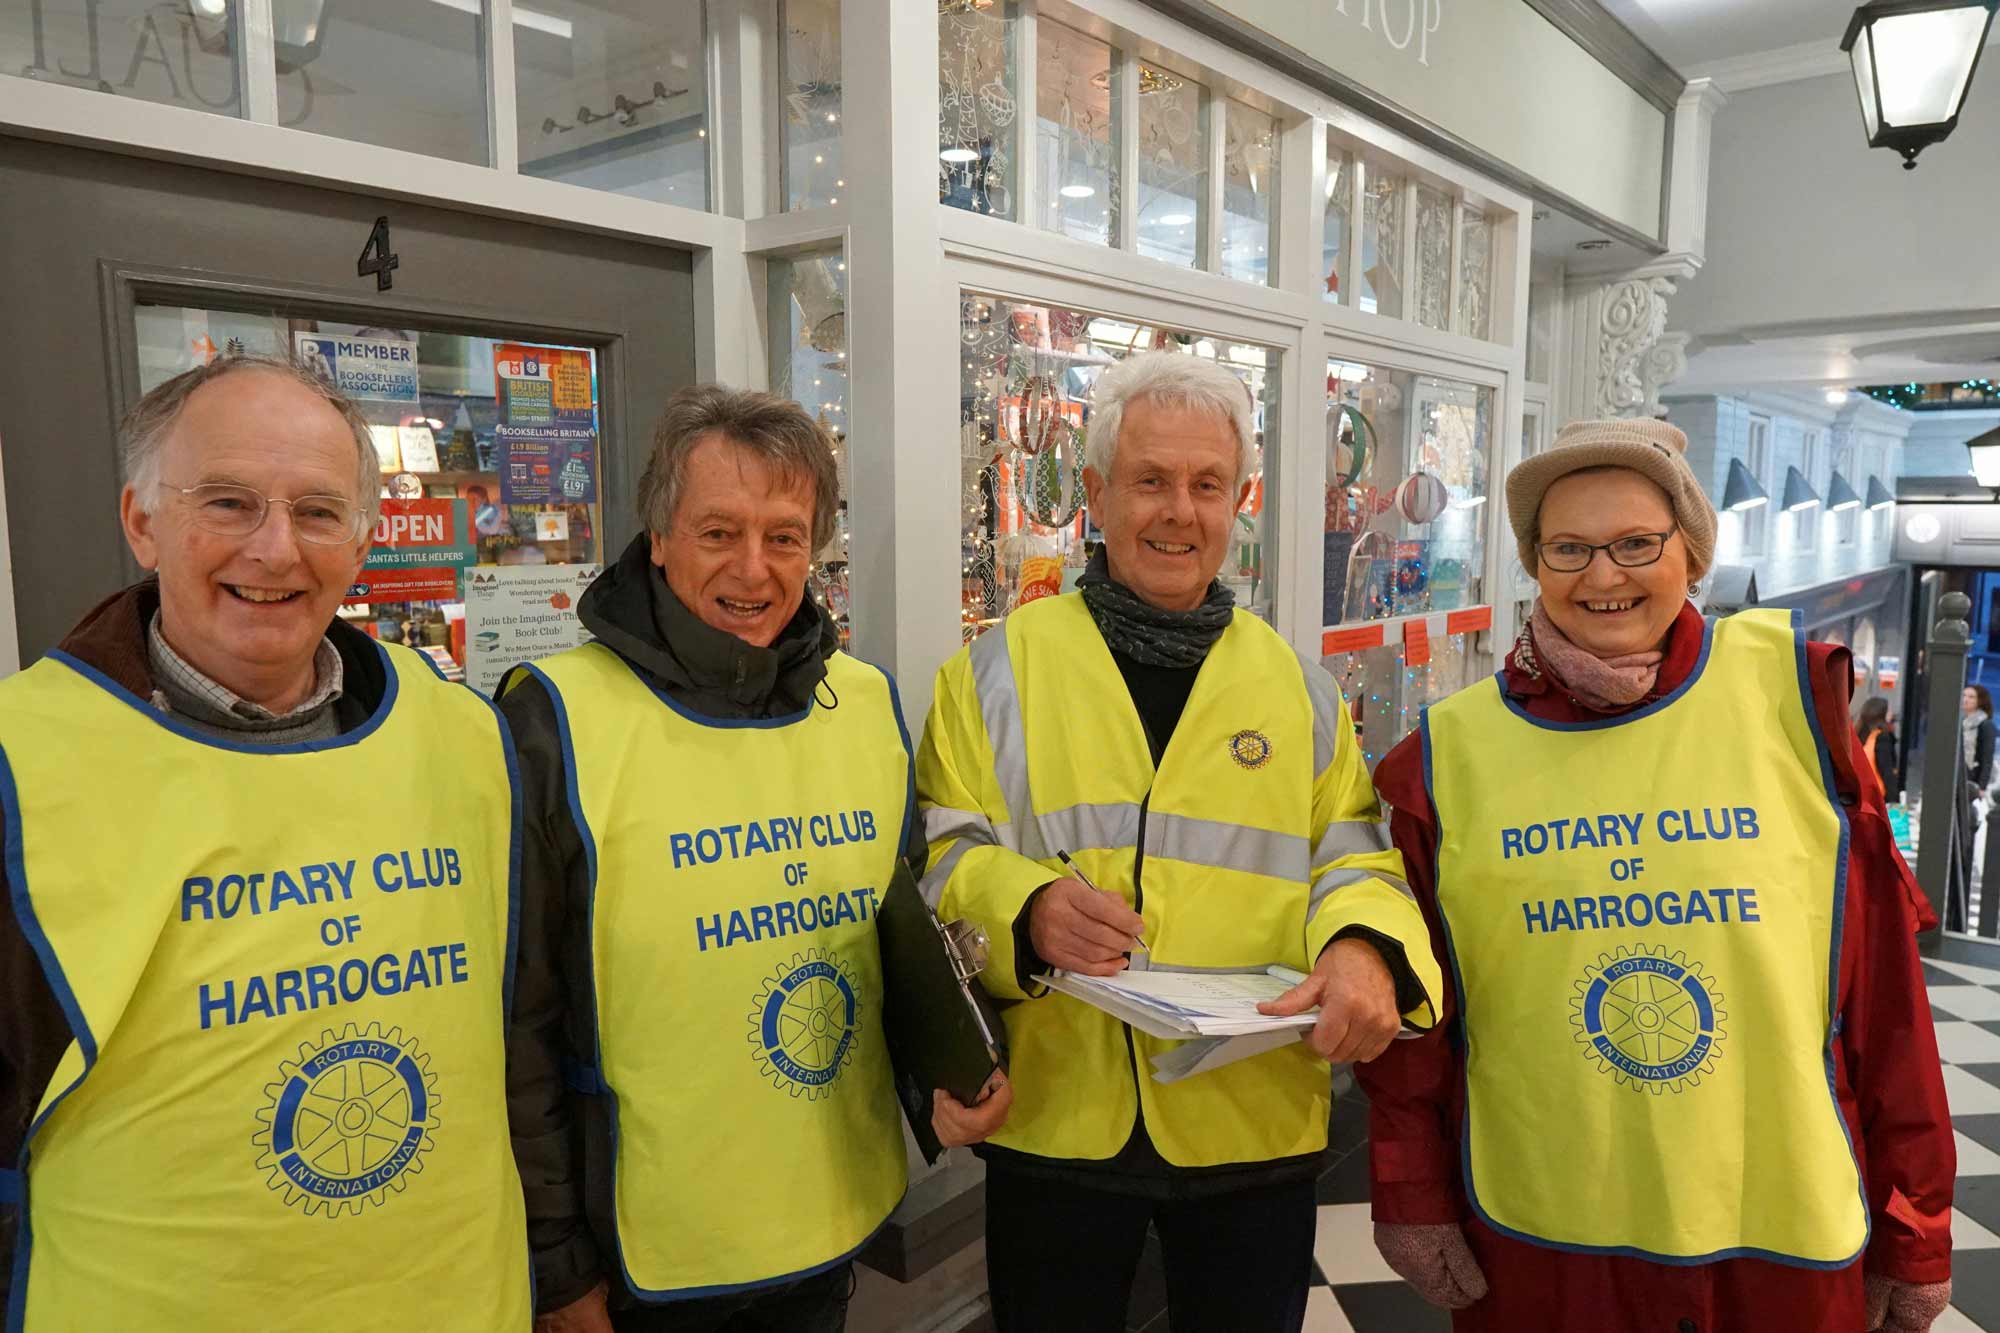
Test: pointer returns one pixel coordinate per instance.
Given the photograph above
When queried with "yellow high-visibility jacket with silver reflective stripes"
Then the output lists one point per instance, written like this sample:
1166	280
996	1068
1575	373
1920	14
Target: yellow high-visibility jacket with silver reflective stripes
1255	842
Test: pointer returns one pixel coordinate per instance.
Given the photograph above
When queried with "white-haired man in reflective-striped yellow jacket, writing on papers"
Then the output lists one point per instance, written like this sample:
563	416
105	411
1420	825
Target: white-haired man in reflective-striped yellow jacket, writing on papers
1145	776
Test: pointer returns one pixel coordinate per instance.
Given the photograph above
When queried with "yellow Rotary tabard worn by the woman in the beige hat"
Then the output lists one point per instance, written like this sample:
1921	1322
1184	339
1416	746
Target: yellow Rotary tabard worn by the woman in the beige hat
1645	918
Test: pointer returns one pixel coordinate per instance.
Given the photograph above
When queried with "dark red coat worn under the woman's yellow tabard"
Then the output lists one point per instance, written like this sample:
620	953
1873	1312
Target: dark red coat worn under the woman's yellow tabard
1887	1076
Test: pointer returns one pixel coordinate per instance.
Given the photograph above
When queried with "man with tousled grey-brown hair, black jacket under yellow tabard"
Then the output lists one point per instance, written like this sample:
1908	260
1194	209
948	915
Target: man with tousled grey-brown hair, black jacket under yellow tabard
701	1090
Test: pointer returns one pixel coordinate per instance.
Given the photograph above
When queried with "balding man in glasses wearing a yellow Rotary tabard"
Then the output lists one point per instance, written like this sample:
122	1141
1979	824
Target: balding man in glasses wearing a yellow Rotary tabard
255	952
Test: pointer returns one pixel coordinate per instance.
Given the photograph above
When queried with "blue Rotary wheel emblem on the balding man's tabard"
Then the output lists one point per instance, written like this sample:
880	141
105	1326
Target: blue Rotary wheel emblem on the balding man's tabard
349	1120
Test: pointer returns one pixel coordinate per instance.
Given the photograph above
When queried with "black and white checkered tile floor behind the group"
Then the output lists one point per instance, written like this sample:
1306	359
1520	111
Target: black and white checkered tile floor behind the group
1355	1292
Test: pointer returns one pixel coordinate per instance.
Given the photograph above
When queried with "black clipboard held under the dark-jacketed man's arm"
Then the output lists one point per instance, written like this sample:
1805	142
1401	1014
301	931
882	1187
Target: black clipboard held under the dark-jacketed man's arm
941	1026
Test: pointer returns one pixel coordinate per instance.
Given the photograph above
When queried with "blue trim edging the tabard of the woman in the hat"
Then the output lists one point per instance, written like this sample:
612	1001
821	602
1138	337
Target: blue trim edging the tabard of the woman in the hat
1459	982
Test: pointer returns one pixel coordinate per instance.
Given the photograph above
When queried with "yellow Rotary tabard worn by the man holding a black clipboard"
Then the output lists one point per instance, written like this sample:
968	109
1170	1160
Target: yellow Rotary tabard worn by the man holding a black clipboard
737	982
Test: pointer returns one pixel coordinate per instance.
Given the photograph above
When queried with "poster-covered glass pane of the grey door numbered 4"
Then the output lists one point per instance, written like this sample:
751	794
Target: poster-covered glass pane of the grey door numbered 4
491	451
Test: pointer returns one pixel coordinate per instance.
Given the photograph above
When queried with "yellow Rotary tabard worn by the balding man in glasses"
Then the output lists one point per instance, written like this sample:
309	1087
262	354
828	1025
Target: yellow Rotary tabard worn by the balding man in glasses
287	972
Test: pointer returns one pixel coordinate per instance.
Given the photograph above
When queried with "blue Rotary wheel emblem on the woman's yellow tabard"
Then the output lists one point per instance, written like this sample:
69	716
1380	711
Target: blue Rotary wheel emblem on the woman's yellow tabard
1651	1020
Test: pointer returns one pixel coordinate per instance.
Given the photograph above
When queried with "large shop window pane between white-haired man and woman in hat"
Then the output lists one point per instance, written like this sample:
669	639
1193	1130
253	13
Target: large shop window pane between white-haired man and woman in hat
1405	541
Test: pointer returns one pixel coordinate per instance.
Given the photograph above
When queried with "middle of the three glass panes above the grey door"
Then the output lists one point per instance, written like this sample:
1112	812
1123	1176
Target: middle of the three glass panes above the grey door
391	73
